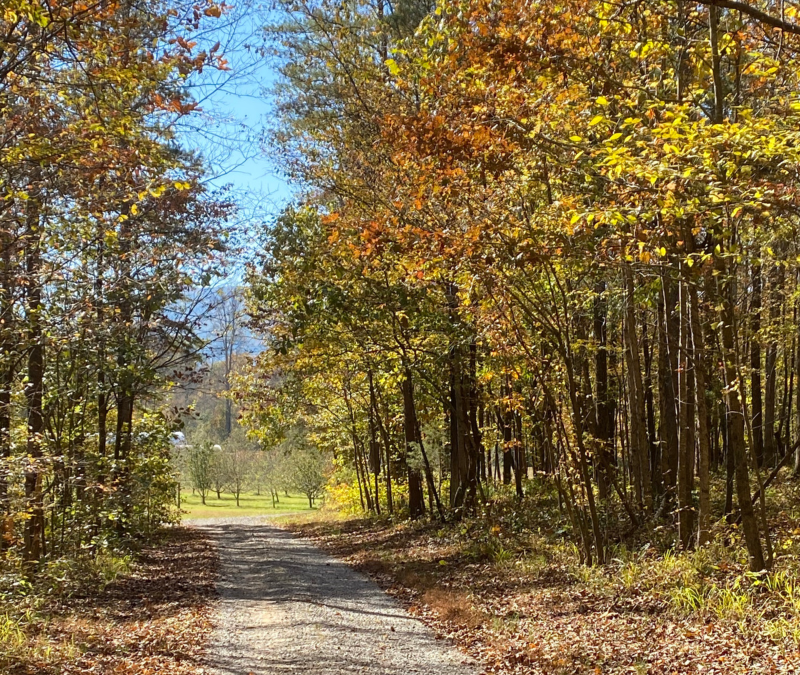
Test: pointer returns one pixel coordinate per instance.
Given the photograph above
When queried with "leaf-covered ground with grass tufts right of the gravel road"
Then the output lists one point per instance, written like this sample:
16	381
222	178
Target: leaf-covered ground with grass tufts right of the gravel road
521	604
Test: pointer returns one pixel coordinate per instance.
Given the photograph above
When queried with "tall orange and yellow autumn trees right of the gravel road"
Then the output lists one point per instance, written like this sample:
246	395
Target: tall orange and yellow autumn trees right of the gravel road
550	239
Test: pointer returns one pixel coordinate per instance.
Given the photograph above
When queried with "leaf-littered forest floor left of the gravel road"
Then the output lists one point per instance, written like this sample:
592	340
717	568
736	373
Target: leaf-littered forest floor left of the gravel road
153	618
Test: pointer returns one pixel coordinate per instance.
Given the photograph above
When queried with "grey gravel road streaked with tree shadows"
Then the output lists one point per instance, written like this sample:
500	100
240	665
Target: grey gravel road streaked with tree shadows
287	607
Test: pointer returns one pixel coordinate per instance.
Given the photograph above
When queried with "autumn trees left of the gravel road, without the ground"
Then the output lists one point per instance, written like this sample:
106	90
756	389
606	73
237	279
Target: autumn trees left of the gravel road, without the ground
106	230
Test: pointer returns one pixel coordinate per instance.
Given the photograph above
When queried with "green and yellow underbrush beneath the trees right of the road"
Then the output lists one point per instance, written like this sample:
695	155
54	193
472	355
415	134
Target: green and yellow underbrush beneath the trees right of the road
711	583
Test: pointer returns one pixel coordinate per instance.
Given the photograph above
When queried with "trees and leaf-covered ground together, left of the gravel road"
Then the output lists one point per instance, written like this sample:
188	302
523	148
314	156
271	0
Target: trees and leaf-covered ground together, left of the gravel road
109	241
